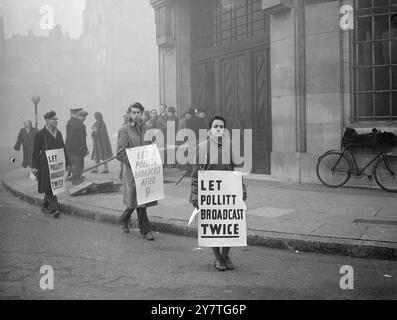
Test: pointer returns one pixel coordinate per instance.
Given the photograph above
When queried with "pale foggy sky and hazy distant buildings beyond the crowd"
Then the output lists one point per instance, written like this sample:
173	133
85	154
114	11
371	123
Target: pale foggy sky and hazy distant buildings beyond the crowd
100	55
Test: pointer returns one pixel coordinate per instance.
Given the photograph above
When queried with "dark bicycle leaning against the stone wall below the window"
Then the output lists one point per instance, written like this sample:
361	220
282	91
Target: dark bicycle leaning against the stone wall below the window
334	168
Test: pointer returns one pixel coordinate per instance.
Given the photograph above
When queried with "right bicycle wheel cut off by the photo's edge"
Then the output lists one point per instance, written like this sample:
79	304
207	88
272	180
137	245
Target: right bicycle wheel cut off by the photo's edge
385	172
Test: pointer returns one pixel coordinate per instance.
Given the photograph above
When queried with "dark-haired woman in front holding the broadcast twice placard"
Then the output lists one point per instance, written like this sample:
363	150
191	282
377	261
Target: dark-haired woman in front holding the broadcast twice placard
219	156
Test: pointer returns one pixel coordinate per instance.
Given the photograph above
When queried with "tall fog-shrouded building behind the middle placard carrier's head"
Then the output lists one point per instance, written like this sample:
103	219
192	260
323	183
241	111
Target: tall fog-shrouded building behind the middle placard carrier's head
118	52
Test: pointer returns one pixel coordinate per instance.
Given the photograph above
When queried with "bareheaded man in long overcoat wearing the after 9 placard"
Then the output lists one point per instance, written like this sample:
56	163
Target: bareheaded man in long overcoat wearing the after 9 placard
132	135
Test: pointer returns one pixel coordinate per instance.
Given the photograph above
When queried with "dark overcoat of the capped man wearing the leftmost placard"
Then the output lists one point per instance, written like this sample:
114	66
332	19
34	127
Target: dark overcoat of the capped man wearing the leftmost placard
43	141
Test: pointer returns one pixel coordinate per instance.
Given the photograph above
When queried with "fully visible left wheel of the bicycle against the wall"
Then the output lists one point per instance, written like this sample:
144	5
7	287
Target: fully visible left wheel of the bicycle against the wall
333	169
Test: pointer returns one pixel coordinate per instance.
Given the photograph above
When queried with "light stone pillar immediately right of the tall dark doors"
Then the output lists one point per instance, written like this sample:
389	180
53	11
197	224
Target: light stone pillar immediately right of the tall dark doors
287	51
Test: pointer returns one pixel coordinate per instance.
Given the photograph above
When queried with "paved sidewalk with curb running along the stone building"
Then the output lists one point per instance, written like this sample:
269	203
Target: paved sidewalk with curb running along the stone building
357	222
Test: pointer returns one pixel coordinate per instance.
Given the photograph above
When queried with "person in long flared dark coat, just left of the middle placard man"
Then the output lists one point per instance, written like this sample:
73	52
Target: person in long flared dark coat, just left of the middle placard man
102	149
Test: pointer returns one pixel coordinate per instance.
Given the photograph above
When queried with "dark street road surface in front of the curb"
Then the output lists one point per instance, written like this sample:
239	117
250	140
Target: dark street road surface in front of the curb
97	261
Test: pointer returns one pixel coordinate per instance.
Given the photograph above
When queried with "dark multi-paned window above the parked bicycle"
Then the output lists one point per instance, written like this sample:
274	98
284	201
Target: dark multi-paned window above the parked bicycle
375	60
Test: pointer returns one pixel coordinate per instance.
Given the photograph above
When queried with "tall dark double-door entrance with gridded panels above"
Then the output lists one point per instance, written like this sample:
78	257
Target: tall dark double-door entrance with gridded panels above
231	71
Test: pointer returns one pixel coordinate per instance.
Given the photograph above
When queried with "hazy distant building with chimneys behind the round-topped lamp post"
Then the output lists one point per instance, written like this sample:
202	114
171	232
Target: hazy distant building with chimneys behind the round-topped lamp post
40	65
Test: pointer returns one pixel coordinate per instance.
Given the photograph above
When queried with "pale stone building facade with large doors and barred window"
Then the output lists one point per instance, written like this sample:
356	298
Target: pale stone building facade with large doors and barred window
296	72
